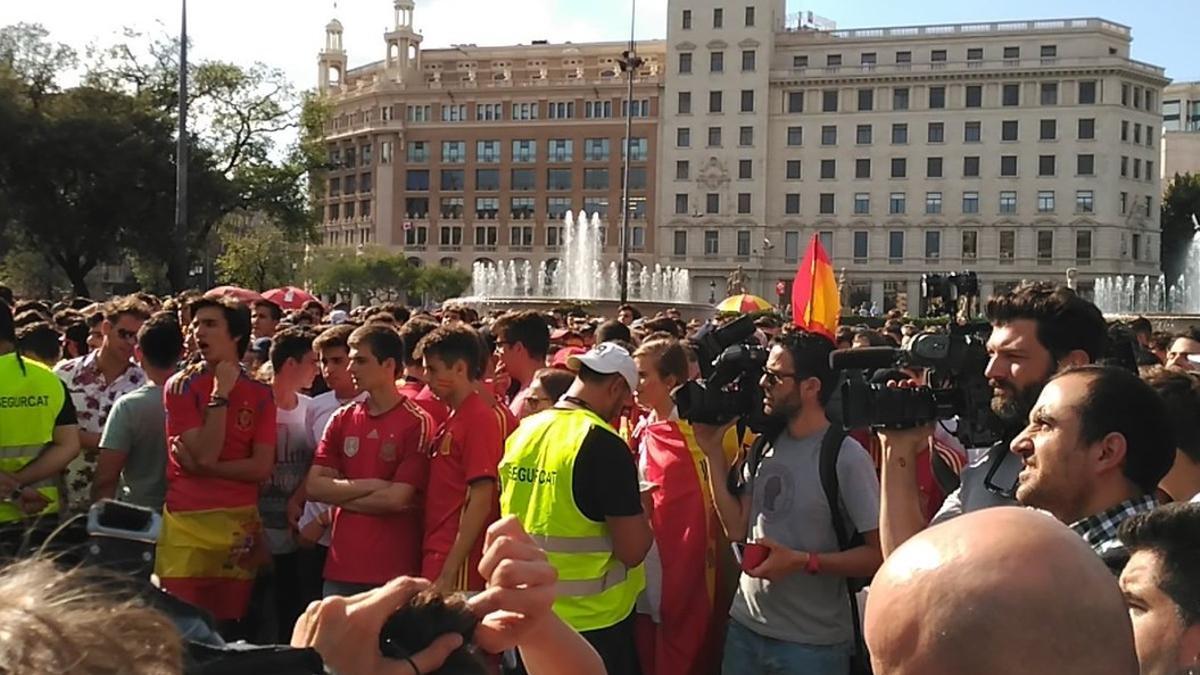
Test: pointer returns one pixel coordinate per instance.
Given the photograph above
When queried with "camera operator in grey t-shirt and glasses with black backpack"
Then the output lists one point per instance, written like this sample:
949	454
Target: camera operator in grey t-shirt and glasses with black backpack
791	612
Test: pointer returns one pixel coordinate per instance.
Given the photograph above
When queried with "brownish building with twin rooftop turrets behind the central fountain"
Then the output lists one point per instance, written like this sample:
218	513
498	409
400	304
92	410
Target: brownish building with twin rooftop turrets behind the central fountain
476	153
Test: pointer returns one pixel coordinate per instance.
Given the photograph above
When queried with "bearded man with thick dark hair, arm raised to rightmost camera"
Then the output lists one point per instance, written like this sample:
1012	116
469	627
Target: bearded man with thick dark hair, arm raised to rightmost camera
1037	330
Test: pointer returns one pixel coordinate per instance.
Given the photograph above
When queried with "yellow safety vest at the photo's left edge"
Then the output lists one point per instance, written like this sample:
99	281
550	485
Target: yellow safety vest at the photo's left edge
31	399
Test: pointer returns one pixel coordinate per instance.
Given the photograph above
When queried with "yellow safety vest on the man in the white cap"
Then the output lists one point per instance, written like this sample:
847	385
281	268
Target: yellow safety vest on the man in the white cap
595	589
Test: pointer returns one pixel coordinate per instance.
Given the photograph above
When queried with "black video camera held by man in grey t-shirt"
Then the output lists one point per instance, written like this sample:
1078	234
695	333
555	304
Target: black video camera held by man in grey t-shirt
730	367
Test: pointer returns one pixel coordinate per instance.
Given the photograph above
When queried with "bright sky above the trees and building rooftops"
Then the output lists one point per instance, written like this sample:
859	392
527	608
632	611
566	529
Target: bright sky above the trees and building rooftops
289	34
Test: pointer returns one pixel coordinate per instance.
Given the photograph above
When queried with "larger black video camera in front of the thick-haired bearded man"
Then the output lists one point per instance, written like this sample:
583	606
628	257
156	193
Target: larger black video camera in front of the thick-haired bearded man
957	386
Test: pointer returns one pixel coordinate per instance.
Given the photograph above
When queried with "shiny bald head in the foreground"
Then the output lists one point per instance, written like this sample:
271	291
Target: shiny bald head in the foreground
995	593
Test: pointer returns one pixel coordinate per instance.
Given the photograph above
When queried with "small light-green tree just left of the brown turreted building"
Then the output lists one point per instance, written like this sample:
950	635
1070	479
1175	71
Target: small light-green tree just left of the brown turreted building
257	258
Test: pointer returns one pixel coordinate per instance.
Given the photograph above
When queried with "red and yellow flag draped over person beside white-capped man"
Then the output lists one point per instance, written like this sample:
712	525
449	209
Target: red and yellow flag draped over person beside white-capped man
686	530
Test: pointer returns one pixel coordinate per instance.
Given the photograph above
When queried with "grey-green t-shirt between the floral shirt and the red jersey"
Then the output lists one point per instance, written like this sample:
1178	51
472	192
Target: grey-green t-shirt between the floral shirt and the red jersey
137	427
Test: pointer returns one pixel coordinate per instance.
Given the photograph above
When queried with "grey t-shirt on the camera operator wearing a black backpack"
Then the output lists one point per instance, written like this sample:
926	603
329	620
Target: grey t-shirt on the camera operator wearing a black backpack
789	505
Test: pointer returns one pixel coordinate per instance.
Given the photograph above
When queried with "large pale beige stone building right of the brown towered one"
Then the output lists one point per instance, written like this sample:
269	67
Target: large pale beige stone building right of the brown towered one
1016	150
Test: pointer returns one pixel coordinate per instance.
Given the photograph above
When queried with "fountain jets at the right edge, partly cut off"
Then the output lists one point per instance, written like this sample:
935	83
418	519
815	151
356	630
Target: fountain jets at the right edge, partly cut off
1129	295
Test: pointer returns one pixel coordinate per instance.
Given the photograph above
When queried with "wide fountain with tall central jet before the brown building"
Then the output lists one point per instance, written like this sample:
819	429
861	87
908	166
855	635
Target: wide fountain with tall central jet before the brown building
580	276
